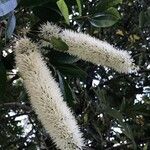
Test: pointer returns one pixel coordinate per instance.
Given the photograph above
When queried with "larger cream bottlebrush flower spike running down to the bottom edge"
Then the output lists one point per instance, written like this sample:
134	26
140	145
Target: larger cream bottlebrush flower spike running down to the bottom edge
46	98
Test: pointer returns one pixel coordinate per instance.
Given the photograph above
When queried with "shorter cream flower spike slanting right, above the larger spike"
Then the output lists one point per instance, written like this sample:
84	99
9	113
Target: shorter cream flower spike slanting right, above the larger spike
89	48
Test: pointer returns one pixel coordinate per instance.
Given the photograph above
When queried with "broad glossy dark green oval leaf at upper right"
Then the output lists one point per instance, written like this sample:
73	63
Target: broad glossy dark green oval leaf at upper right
105	19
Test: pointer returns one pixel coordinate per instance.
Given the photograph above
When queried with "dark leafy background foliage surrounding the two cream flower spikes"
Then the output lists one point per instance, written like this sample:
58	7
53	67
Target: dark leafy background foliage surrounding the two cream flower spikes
113	110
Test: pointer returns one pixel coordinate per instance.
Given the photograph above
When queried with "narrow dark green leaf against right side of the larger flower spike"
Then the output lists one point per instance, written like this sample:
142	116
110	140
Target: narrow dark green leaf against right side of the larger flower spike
66	90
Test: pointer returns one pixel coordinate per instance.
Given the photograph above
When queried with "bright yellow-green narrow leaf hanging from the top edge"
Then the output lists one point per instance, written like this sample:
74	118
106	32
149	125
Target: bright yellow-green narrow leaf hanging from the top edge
64	10
